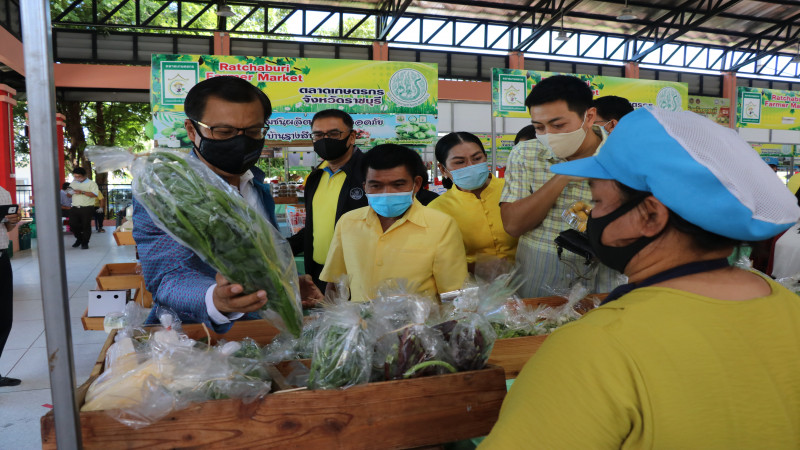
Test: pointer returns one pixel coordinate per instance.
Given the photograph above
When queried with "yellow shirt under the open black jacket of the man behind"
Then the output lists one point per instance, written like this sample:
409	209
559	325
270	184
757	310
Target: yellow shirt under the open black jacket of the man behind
325	201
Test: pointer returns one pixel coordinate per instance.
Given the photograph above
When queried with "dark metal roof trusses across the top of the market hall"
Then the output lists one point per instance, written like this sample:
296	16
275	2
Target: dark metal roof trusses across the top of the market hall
756	38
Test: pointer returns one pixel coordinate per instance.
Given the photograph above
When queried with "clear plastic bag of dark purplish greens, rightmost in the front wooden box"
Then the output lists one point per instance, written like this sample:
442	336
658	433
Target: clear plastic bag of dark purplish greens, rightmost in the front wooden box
469	341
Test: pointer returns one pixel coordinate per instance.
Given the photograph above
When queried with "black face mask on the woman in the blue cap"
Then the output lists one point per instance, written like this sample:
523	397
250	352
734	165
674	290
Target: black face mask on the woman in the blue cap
616	258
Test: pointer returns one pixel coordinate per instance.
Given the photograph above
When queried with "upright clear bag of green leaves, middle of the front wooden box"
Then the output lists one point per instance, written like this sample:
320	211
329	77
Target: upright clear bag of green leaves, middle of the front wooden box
342	355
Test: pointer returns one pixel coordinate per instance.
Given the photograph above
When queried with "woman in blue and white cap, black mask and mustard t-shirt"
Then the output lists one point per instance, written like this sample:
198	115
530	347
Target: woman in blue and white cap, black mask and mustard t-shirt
692	352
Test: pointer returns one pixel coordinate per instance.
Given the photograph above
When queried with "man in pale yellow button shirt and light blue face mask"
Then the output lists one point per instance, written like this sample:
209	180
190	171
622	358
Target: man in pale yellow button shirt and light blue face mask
395	237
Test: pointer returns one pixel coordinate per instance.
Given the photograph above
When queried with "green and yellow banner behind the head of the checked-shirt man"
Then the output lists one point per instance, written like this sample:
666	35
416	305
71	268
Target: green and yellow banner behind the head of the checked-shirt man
510	87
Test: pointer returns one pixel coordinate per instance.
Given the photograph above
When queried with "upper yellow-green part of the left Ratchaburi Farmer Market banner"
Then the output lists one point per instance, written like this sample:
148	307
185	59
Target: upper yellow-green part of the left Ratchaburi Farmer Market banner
305	84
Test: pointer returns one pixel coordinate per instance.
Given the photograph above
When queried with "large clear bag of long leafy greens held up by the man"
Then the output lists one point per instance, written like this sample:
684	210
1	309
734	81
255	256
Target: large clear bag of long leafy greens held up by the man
206	214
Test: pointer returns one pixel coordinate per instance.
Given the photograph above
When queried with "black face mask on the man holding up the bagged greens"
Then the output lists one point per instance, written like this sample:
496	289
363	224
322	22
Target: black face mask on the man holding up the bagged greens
236	155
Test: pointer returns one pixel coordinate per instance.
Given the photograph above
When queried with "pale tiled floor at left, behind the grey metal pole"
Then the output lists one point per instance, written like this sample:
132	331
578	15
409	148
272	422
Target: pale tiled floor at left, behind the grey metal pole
25	354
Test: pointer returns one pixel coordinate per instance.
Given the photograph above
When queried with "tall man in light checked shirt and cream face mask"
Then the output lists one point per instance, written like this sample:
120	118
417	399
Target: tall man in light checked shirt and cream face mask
534	199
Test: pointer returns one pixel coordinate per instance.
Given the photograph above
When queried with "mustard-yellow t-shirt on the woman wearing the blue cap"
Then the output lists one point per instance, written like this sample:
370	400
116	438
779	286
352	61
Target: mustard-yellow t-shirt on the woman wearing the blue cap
666	369
